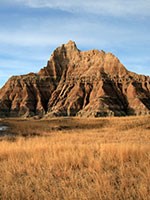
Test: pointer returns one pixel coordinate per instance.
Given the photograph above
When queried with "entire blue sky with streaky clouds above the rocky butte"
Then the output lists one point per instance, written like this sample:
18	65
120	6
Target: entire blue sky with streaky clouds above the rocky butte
31	29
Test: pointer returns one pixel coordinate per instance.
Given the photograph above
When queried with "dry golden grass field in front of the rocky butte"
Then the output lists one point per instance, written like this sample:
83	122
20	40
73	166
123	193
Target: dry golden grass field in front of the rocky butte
76	159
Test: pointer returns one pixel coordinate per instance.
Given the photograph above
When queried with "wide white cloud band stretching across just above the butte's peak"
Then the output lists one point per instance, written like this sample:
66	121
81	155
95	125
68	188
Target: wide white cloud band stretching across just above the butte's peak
45	32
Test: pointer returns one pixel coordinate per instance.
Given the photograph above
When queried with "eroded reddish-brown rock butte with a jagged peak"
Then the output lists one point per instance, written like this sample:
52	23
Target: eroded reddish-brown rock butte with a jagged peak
75	83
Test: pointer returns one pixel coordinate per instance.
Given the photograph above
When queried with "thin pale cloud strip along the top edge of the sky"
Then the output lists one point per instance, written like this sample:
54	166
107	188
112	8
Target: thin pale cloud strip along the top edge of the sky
109	7
